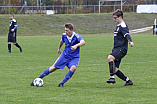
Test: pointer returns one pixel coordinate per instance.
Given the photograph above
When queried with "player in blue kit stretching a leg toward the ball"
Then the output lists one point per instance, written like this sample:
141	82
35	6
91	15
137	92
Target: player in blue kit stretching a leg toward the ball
69	57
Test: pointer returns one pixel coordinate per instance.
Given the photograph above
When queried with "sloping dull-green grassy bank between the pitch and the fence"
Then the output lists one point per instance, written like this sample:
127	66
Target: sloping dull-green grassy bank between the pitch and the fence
50	25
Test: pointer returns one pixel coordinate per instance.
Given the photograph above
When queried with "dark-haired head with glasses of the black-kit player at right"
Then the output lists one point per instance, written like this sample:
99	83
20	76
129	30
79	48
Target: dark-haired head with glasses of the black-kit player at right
118	16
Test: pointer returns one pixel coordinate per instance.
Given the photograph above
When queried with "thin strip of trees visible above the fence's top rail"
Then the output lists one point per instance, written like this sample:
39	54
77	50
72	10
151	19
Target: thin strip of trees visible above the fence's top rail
69	2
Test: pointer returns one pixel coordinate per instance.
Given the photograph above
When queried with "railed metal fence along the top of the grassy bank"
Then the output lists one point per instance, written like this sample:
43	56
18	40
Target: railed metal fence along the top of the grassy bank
65	9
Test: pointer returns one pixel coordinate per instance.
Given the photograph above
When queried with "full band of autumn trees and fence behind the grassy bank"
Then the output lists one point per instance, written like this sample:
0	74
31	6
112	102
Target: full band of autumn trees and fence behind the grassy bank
67	6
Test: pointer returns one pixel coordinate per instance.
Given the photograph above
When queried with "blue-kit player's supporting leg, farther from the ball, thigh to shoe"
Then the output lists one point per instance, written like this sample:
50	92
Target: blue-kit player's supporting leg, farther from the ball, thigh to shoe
72	65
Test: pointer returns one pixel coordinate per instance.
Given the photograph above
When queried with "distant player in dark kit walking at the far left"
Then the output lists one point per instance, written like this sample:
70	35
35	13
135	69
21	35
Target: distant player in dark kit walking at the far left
12	33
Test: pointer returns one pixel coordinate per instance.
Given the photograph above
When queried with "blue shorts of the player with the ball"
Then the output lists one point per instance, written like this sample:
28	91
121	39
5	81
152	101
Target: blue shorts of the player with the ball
62	61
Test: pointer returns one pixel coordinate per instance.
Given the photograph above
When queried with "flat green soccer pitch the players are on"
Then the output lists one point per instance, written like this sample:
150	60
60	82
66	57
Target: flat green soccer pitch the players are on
88	85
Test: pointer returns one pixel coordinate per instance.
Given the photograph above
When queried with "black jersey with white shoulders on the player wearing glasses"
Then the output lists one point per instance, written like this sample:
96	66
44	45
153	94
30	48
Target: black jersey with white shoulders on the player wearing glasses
120	40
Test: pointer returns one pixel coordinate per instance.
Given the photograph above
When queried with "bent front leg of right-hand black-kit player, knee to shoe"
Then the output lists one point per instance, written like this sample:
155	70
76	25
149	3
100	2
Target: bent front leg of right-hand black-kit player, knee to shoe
112	68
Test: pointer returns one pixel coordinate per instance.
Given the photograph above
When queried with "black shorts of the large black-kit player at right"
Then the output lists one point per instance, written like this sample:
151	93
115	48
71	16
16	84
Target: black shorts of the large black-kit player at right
118	54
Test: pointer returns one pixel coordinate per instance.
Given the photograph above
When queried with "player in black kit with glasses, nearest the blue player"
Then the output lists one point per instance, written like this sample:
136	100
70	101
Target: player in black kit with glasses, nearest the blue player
121	39
